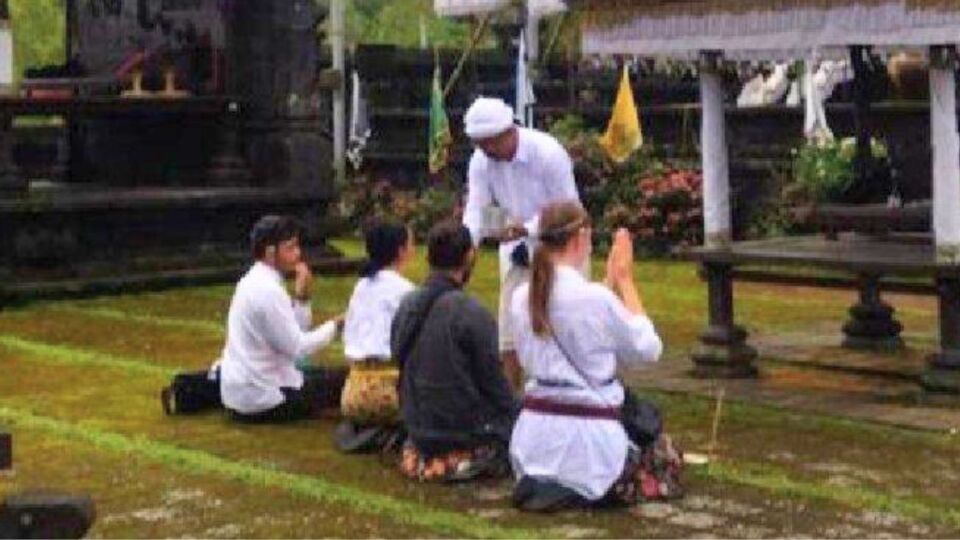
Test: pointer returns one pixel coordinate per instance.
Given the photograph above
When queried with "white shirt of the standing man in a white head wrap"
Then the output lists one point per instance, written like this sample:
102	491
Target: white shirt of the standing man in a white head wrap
540	173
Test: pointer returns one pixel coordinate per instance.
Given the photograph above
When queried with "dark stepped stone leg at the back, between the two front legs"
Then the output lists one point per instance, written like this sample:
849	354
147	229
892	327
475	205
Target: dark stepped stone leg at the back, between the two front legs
871	325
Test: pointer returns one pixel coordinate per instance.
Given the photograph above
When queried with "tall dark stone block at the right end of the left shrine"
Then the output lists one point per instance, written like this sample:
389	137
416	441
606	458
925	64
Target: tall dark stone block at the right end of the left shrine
274	62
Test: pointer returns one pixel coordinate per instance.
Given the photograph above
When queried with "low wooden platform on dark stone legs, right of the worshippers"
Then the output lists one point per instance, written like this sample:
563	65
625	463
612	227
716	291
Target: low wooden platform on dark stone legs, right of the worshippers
869	261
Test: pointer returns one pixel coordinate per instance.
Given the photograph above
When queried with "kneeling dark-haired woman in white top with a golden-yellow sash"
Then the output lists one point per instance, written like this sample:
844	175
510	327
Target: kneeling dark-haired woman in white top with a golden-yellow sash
370	394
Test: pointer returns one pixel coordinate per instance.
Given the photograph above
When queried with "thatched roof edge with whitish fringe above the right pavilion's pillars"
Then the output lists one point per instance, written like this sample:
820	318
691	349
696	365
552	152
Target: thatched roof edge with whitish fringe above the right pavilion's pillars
764	28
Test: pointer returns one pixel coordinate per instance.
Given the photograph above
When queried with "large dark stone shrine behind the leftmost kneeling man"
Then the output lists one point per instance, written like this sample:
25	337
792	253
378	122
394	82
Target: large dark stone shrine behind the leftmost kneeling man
164	194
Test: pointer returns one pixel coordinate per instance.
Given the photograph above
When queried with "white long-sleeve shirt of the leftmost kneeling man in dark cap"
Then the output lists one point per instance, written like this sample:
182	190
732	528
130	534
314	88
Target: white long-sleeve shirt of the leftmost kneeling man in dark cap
266	332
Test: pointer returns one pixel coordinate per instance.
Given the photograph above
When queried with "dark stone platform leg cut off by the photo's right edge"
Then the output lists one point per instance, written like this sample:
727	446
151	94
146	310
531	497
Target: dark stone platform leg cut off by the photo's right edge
943	369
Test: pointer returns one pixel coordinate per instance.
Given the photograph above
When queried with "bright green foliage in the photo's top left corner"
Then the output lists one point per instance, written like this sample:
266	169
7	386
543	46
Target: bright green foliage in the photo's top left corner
39	33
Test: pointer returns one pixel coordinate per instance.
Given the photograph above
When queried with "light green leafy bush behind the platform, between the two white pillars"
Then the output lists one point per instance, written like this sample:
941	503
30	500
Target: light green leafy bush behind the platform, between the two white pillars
825	170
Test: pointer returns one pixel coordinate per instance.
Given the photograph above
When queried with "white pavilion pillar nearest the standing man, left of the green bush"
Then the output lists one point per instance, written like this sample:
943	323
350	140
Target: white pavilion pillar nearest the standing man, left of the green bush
716	170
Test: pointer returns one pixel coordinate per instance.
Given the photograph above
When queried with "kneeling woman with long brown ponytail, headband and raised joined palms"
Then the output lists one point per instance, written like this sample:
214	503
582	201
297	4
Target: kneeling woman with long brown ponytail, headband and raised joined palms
571	334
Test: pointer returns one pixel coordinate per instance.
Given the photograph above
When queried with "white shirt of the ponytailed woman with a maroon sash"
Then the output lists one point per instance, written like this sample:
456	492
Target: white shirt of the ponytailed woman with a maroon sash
598	332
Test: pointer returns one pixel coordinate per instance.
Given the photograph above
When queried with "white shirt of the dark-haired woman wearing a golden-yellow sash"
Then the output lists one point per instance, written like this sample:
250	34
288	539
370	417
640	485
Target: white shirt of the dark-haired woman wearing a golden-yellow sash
374	303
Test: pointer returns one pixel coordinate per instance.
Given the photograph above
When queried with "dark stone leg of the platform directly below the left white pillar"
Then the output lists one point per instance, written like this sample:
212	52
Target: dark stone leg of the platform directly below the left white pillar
723	351
